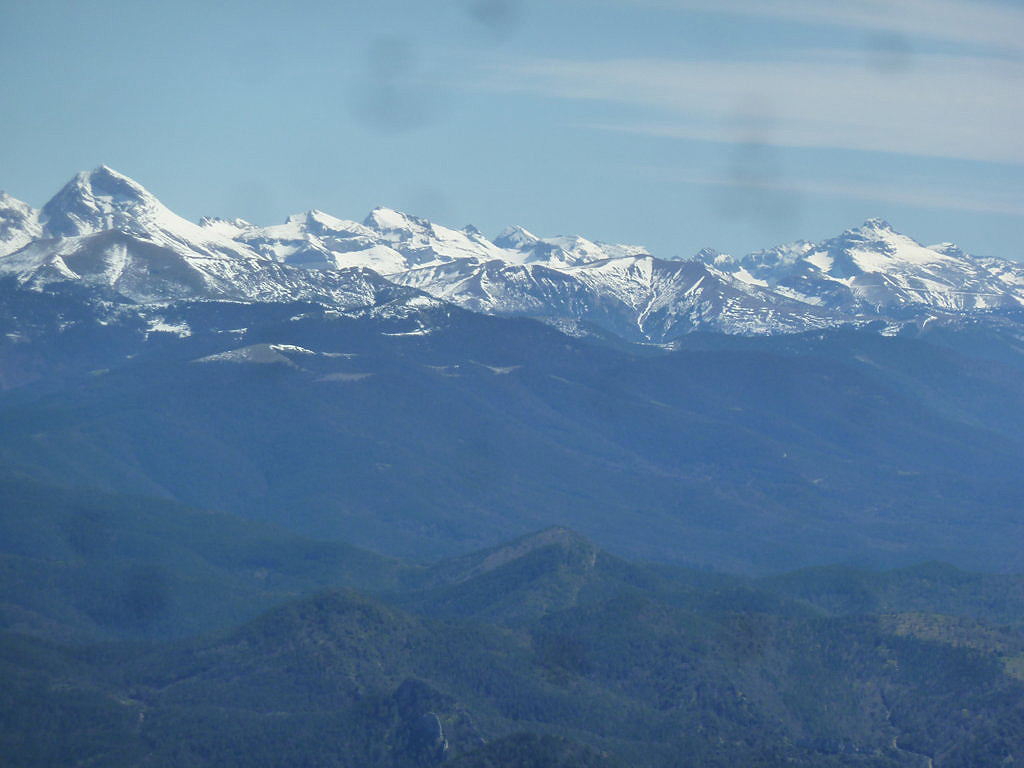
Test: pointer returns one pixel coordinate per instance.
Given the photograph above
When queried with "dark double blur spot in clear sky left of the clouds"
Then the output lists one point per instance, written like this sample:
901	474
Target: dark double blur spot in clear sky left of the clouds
394	97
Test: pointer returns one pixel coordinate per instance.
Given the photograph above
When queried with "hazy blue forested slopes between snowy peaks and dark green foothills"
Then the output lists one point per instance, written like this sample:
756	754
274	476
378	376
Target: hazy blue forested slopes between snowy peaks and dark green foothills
425	430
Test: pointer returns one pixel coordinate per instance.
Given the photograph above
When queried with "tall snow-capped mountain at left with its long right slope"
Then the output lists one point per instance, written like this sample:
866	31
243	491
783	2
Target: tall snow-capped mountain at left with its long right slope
106	232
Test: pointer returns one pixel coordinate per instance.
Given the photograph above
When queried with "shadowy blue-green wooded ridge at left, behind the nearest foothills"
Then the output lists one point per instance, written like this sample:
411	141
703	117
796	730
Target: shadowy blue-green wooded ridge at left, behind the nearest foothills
83	566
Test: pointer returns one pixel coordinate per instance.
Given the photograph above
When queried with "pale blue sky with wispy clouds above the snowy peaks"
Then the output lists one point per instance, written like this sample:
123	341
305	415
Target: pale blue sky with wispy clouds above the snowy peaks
673	124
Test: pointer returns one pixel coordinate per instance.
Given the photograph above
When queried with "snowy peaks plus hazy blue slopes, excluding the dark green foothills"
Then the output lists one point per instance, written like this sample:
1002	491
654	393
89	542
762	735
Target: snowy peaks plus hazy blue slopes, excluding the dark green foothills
344	381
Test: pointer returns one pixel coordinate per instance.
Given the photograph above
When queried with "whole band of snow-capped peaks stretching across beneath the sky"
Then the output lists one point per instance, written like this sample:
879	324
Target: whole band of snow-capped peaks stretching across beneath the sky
105	232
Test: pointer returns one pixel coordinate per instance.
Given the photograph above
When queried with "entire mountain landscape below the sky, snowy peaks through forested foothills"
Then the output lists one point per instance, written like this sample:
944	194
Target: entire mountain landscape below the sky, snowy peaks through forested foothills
391	494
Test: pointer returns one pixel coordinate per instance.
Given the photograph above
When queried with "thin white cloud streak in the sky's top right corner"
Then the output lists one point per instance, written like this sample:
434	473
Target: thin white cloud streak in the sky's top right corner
999	26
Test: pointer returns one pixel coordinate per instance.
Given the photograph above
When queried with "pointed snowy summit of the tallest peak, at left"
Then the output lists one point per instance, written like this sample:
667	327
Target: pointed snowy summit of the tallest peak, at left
99	200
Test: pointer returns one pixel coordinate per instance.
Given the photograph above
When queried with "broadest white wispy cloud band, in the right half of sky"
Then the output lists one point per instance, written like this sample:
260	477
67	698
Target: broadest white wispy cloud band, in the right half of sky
948	107
